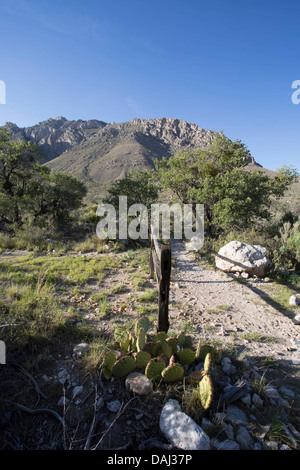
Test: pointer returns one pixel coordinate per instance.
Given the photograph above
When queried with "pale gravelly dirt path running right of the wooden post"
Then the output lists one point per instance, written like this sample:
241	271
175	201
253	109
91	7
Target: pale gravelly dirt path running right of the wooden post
217	307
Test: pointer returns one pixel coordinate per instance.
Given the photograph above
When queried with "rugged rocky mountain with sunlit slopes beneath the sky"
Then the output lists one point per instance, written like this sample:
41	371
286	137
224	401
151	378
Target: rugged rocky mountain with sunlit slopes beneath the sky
98	153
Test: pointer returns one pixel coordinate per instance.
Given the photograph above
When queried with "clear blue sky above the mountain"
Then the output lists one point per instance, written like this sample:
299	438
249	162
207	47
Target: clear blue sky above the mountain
223	65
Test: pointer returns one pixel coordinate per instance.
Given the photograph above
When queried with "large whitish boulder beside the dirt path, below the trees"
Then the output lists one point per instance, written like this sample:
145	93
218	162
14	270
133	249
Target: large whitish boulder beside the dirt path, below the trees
243	258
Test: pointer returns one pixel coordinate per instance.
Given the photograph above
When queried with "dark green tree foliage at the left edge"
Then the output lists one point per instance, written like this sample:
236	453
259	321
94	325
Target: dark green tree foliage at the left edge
27	188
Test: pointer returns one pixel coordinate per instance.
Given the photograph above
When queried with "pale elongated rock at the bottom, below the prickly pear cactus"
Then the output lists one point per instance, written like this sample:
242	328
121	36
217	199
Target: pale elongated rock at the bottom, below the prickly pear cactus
181	430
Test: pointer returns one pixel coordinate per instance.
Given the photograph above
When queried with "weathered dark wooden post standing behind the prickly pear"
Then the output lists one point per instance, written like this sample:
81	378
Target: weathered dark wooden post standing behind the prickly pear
160	264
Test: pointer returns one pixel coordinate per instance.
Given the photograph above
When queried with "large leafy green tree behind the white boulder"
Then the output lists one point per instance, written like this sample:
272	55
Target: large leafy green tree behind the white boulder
216	177
